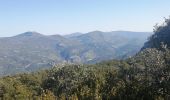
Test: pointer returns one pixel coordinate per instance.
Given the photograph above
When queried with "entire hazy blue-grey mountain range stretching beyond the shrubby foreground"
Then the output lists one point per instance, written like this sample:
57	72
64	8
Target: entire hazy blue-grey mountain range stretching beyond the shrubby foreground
31	51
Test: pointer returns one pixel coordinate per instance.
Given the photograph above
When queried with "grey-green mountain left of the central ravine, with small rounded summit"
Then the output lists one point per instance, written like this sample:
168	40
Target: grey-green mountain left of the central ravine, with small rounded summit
29	51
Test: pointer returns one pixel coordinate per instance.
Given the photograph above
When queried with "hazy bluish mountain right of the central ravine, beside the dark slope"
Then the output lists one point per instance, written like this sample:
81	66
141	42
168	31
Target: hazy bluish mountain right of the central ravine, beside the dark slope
109	45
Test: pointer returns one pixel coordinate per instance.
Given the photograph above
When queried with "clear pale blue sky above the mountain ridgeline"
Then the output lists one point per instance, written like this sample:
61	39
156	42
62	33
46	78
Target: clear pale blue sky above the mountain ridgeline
69	16
